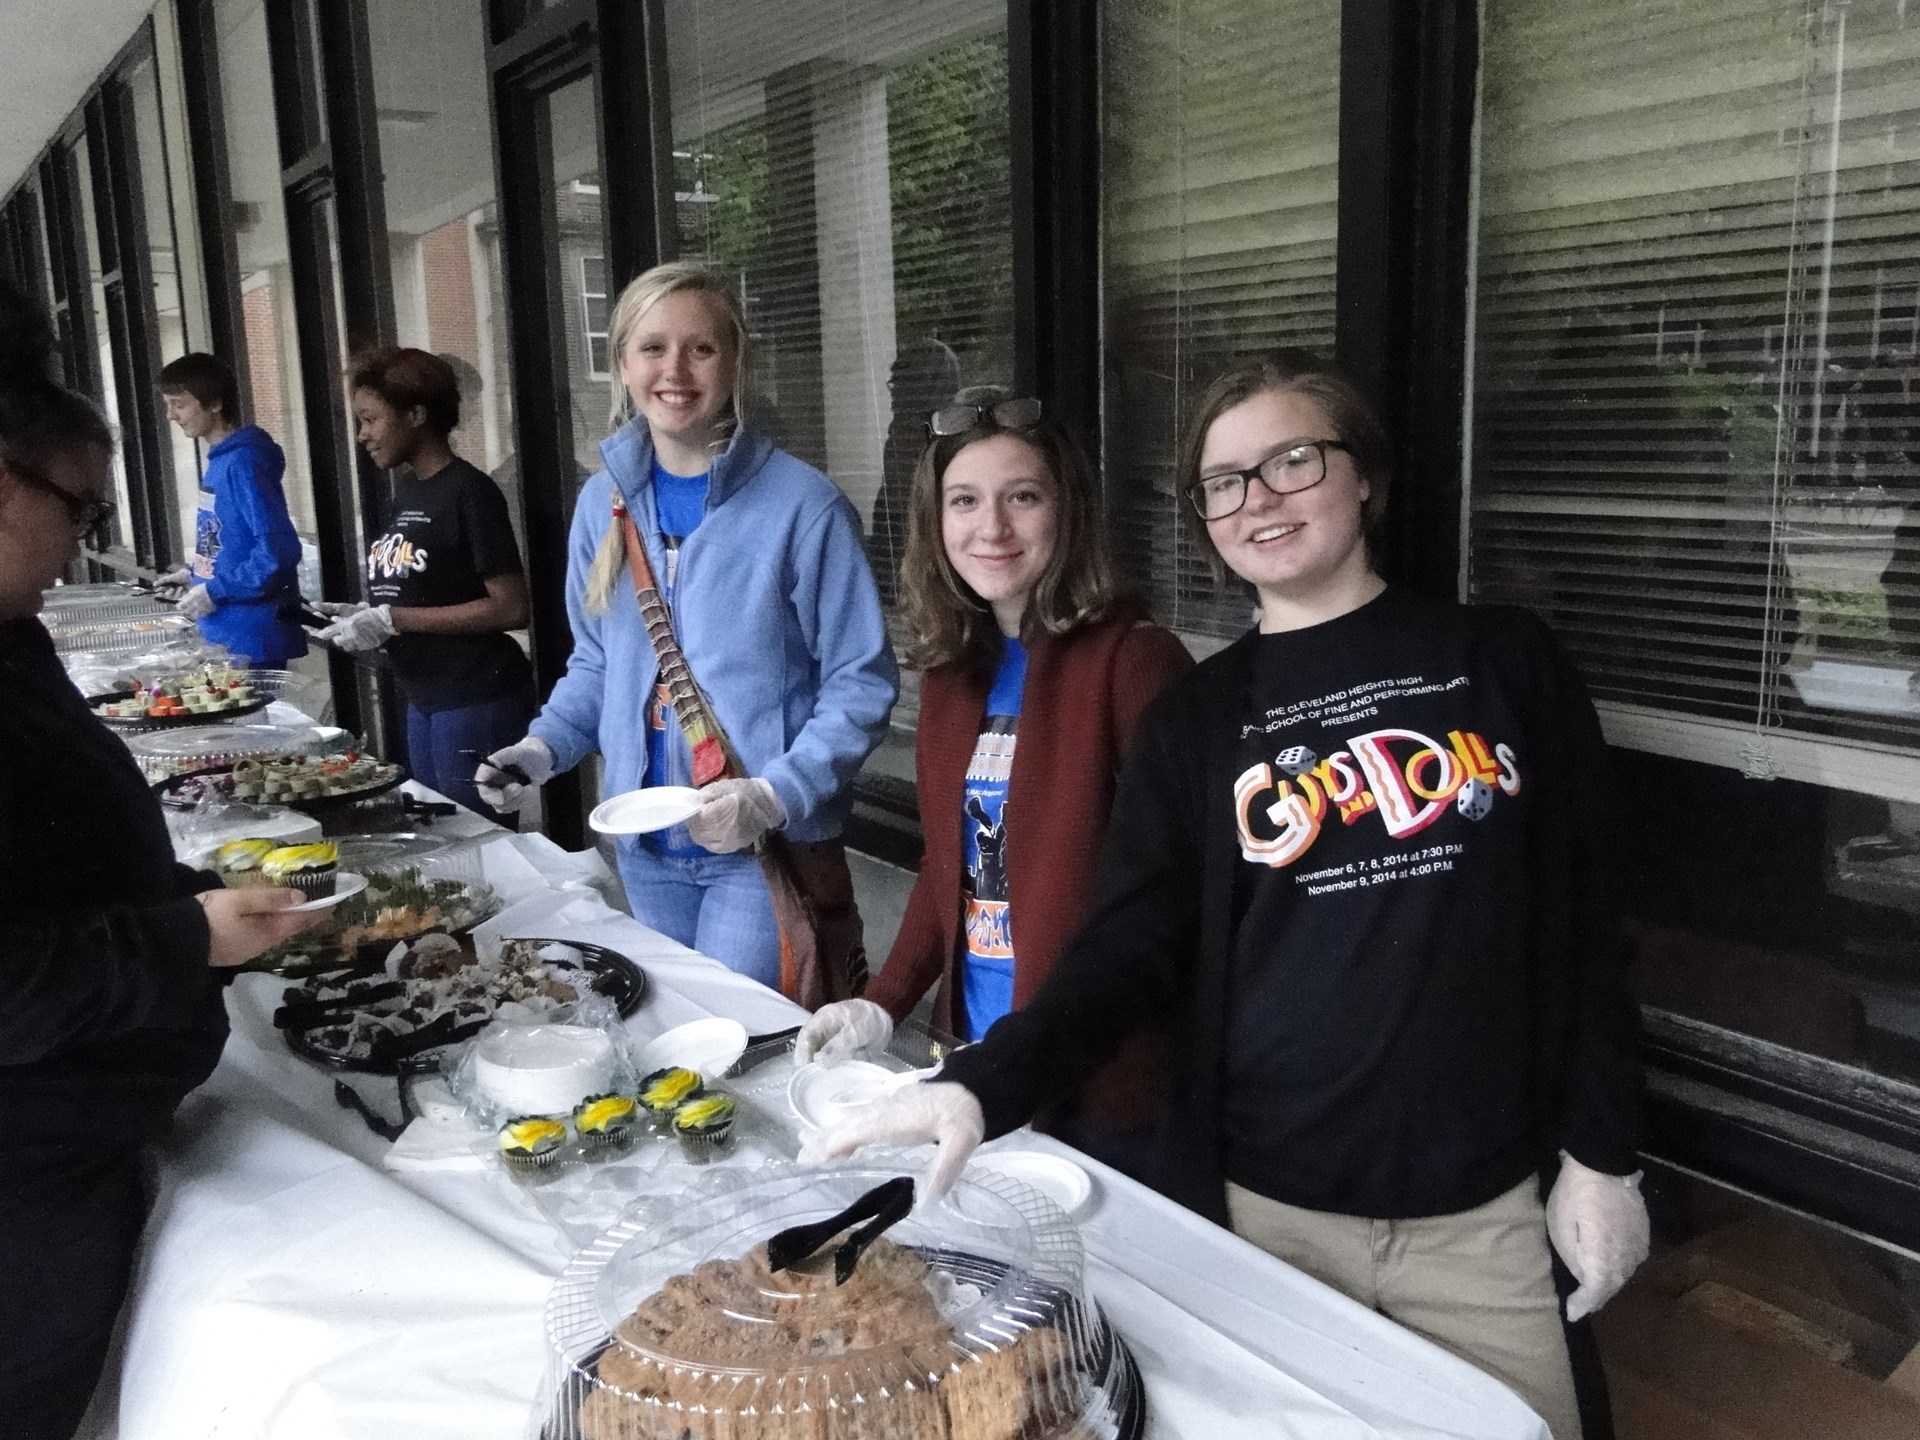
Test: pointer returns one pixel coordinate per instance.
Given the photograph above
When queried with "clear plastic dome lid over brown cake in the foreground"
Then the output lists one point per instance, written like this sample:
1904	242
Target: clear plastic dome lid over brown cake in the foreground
967	1322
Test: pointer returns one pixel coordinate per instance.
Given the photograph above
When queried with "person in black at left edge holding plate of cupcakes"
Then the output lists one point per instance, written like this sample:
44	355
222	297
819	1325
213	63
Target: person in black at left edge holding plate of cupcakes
110	953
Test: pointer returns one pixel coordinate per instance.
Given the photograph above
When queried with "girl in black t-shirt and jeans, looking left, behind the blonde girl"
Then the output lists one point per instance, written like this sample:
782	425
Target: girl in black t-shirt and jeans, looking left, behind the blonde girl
444	579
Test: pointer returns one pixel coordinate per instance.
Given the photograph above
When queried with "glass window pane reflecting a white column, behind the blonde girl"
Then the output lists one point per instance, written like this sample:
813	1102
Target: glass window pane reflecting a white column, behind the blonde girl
852	166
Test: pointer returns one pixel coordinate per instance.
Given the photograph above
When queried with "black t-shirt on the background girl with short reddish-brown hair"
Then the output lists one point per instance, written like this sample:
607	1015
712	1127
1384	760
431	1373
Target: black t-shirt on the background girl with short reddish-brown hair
446	537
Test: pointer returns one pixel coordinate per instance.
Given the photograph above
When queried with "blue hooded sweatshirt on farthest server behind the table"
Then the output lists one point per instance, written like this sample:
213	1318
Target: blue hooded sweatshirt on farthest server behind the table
247	550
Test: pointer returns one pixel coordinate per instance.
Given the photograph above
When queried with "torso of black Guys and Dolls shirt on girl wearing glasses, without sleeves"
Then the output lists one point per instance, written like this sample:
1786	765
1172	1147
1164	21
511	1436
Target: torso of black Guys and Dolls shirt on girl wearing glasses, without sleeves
1383	996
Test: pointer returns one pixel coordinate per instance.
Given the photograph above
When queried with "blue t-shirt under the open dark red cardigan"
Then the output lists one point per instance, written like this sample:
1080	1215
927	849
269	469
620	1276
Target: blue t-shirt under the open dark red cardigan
988	967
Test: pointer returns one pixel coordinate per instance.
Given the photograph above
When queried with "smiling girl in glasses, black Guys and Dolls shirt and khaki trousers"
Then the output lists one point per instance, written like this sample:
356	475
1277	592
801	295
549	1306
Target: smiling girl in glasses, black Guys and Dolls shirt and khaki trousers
1358	855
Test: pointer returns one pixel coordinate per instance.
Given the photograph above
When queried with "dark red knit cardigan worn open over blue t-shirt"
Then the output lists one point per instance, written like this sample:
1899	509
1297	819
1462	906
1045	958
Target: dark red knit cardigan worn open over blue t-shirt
1084	698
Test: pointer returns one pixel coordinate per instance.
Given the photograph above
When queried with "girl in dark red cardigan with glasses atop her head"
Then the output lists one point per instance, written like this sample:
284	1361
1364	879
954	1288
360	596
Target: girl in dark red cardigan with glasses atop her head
1034	677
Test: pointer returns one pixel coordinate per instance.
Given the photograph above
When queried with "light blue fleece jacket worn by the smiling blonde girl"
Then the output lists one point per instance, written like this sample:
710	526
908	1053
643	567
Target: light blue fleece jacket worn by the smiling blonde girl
775	610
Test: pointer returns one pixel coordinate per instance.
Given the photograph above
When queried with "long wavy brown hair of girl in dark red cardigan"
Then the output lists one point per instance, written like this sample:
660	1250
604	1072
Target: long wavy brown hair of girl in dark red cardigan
949	623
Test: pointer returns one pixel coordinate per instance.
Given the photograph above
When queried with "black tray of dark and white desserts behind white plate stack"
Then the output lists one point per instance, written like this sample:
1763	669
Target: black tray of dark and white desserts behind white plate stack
437	992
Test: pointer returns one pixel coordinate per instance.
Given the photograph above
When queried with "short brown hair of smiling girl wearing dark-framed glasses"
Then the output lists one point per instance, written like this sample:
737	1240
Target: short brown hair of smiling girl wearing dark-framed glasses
1301	373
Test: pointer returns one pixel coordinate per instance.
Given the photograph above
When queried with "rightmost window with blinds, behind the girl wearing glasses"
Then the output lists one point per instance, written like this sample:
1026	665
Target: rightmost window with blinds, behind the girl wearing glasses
1696	364
